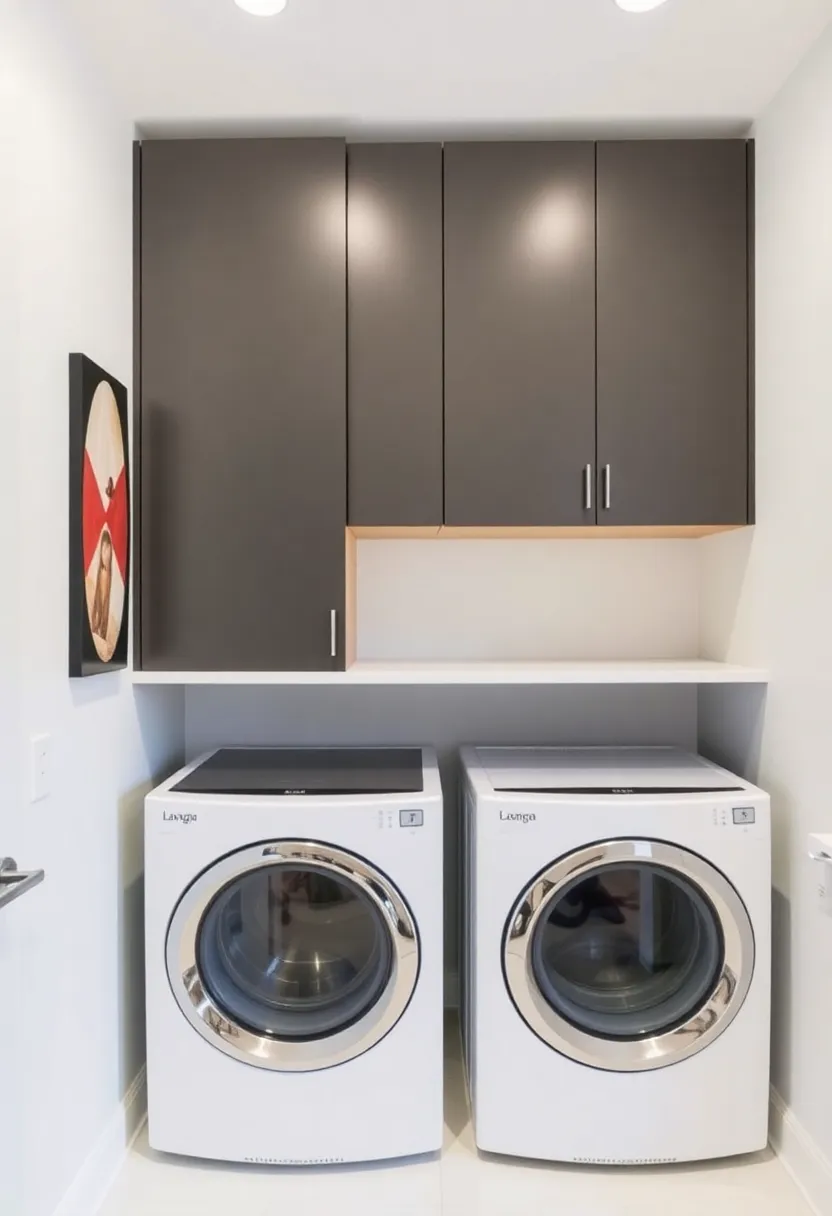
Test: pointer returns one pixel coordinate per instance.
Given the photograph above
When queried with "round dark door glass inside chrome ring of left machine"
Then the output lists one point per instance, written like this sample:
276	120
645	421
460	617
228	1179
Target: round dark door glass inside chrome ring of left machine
295	953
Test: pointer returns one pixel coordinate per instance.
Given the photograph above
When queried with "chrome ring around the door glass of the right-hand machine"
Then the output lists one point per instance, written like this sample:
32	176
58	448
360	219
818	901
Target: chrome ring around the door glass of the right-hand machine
659	1051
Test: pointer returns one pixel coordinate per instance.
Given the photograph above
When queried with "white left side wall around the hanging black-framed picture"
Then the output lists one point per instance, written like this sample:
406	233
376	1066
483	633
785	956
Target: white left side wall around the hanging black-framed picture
80	1032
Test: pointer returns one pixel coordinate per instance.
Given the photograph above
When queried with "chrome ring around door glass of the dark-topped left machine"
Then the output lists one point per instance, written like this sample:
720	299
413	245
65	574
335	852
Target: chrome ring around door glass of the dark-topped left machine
263	1051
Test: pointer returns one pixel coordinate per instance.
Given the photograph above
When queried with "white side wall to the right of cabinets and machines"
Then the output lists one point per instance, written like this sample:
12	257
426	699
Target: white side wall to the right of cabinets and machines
769	596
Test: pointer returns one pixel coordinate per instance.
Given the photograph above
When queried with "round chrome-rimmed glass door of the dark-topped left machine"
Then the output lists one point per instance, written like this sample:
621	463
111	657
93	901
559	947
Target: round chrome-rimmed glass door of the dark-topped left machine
293	956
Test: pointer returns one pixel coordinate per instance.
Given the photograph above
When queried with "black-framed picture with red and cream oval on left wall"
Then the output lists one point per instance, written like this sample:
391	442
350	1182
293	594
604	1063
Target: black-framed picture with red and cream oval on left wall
109	514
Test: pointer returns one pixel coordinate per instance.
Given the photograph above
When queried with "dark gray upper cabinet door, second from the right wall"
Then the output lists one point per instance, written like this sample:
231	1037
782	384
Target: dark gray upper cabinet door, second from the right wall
520	334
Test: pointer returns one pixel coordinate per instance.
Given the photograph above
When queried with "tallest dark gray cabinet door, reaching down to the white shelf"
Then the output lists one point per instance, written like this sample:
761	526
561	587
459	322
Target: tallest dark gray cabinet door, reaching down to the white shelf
244	496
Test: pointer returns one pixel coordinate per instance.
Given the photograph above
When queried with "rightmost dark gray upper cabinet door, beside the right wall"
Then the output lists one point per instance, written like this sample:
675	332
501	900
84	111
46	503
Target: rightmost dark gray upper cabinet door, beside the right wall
673	333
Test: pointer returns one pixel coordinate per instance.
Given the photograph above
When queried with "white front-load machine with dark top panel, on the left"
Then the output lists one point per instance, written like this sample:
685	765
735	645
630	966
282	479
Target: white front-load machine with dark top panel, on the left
295	956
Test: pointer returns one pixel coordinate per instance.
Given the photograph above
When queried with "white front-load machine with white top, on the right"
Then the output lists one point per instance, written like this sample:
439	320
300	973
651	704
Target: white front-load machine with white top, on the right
616	955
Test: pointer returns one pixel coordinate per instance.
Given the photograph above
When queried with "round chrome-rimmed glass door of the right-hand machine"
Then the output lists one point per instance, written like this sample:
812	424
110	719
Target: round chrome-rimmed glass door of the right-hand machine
629	955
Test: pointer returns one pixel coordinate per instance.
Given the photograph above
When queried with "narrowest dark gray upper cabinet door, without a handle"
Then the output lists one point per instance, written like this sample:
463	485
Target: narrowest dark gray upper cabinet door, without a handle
395	318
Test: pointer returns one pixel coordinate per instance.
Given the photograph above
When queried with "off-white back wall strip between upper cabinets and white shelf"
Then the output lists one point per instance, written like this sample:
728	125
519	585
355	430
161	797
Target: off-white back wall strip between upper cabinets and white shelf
529	600
